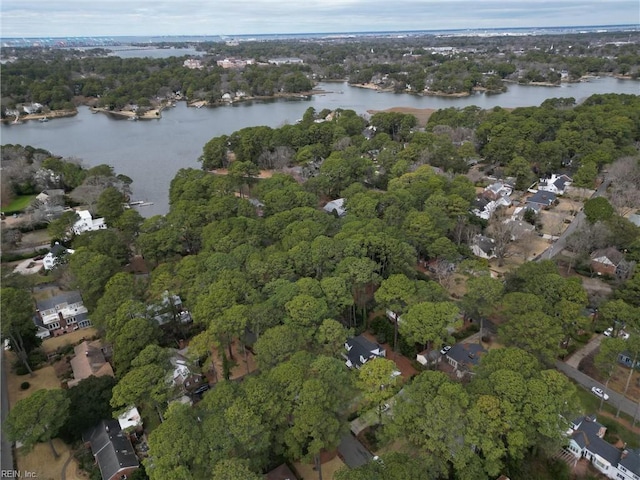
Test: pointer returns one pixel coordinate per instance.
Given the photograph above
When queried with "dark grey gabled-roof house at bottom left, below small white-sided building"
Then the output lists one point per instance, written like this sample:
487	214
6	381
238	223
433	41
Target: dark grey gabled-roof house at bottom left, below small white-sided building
112	450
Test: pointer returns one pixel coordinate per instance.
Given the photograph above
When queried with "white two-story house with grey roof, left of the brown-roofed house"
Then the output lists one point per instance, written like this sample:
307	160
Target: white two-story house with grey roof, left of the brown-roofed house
61	314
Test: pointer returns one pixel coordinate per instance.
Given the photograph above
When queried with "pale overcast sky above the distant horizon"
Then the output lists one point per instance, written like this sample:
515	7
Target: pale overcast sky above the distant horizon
63	18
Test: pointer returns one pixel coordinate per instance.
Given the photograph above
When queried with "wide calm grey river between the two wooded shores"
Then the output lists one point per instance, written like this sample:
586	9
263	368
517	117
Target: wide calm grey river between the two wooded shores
151	152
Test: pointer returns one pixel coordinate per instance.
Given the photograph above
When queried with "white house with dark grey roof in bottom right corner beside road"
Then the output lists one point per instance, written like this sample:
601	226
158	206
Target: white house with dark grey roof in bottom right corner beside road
586	440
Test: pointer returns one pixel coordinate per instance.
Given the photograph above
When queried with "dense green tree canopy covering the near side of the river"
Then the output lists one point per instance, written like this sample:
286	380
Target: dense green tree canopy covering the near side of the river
267	274
